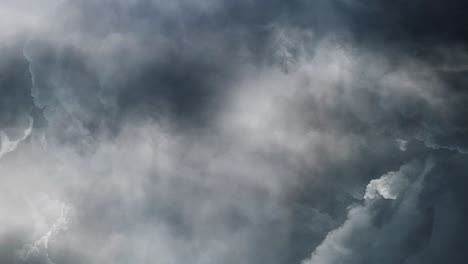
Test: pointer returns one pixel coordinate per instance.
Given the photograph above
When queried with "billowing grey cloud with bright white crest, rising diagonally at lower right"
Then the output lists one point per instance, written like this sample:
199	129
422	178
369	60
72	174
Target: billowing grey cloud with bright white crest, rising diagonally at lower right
368	235
